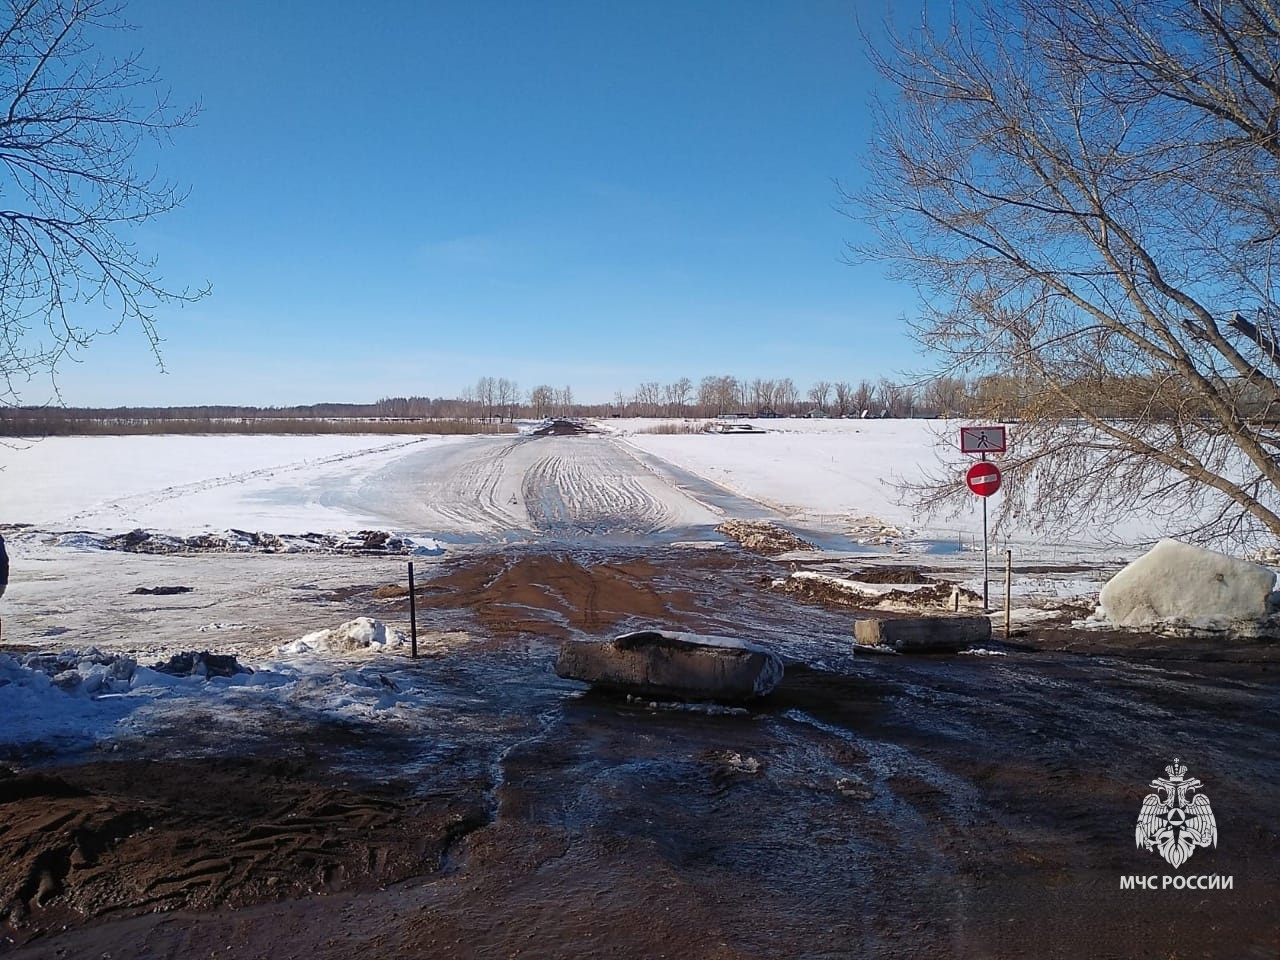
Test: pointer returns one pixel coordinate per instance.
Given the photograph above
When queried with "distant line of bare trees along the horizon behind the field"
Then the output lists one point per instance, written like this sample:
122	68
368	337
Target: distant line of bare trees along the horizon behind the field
492	404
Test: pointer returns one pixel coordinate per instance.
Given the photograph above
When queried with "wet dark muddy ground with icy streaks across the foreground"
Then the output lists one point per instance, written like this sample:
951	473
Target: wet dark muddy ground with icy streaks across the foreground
875	806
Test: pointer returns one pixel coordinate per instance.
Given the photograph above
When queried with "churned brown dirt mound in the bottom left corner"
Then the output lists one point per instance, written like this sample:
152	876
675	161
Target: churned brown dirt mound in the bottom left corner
129	838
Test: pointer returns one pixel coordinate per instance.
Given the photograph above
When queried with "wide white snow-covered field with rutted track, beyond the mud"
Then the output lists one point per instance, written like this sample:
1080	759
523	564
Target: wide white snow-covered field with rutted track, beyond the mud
847	477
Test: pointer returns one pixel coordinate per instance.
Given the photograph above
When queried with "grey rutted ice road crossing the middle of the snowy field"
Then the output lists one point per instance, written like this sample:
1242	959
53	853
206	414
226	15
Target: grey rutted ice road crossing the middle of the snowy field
557	487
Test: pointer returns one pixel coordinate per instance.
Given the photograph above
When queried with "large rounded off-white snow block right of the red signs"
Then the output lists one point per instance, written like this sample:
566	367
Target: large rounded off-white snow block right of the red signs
1177	582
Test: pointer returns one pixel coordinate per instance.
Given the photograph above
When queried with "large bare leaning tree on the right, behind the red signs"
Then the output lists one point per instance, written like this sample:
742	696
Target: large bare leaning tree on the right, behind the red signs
1087	194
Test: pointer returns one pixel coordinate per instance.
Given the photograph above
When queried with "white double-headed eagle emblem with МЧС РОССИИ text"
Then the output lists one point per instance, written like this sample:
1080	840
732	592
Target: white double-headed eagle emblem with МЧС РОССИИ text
1174	822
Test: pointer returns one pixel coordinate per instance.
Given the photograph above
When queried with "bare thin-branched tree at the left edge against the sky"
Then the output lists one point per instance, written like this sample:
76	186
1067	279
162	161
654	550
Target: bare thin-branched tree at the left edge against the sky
71	124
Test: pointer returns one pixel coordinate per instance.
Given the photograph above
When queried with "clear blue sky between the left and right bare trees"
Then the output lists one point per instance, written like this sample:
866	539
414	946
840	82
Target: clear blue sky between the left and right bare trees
401	199
